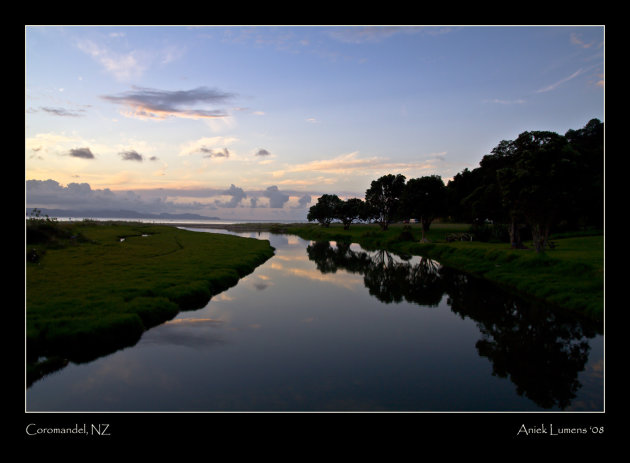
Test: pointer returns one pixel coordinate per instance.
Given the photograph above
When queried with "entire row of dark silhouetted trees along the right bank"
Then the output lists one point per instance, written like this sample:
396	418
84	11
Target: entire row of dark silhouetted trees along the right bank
537	182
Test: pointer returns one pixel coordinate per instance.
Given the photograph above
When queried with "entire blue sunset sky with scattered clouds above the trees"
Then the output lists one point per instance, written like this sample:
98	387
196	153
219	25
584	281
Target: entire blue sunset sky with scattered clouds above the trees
257	122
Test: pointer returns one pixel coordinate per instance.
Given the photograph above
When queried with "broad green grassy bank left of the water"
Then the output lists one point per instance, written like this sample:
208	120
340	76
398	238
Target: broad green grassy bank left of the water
94	287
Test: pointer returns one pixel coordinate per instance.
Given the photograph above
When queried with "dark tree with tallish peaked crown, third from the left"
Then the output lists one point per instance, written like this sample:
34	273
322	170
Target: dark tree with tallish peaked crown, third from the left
383	198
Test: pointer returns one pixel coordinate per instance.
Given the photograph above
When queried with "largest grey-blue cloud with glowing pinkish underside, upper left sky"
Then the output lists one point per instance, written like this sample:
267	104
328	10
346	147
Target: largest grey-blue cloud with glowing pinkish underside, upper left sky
161	104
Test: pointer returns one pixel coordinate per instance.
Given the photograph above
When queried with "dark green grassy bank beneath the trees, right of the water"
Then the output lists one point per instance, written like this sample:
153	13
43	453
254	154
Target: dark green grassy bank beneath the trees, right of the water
571	275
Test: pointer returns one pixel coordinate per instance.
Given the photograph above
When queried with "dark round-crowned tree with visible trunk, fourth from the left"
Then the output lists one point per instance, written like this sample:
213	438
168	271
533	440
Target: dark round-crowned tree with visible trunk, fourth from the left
425	198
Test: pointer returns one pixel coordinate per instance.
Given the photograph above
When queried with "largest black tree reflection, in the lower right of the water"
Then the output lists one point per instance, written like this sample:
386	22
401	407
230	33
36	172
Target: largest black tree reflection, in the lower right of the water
540	349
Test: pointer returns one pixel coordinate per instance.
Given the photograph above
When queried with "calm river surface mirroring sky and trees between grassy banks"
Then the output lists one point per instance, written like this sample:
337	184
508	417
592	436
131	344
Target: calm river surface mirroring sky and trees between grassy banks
321	327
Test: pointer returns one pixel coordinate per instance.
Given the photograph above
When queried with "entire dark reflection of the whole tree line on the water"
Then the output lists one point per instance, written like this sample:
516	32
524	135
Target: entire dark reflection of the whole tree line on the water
539	348
